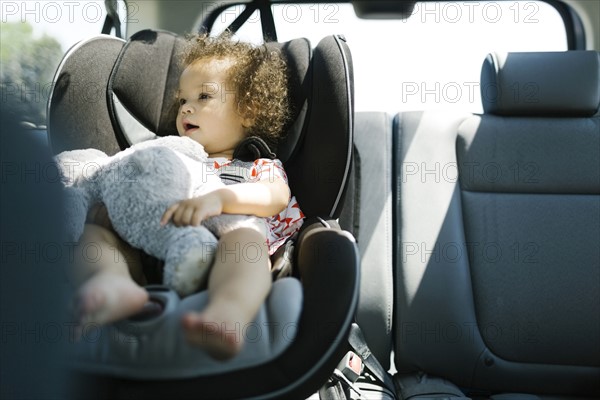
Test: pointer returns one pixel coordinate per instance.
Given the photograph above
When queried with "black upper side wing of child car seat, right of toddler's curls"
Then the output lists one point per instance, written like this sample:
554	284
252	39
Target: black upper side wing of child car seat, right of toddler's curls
323	156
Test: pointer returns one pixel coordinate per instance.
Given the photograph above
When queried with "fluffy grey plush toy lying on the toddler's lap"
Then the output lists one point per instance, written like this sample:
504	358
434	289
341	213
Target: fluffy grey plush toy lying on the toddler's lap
137	185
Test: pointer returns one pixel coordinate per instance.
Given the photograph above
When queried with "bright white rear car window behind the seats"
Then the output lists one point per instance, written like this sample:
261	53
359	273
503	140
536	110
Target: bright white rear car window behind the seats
431	60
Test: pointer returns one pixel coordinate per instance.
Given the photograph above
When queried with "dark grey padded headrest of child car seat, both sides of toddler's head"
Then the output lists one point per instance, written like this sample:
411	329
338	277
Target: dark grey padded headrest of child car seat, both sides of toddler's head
144	83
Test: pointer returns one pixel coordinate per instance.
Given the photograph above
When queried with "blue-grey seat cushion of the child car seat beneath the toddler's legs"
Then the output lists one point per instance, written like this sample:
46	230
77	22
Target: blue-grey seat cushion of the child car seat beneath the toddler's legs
157	349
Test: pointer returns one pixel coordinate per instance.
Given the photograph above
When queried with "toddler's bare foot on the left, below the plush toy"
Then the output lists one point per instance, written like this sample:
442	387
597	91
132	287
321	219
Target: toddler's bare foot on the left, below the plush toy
108	297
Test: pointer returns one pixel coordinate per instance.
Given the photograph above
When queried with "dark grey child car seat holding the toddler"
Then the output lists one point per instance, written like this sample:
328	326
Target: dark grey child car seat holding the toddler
130	107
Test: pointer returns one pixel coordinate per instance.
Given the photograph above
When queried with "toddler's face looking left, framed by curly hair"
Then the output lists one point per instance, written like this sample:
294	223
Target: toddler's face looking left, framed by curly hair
208	108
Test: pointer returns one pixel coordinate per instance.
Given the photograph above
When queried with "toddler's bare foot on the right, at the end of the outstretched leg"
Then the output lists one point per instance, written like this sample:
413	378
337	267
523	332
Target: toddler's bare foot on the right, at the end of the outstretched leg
218	330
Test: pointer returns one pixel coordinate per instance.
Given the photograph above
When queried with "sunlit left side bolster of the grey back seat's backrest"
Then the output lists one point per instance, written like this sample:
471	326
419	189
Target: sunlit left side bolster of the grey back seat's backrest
435	324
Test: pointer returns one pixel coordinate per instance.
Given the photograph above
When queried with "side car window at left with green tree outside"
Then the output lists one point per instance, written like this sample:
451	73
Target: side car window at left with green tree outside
35	36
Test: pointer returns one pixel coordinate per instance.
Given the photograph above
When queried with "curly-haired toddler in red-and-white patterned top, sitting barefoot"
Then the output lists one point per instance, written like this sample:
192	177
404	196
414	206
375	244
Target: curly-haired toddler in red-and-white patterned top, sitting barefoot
229	92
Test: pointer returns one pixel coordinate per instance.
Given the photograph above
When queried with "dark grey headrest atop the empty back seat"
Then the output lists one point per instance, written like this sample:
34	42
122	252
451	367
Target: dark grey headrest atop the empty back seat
541	84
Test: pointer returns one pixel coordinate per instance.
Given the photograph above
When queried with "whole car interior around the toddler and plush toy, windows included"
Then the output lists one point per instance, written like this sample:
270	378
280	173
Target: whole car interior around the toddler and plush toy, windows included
446	155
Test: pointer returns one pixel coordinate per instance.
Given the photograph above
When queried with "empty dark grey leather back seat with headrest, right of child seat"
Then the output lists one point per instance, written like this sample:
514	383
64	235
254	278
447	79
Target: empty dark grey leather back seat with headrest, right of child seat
497	266
